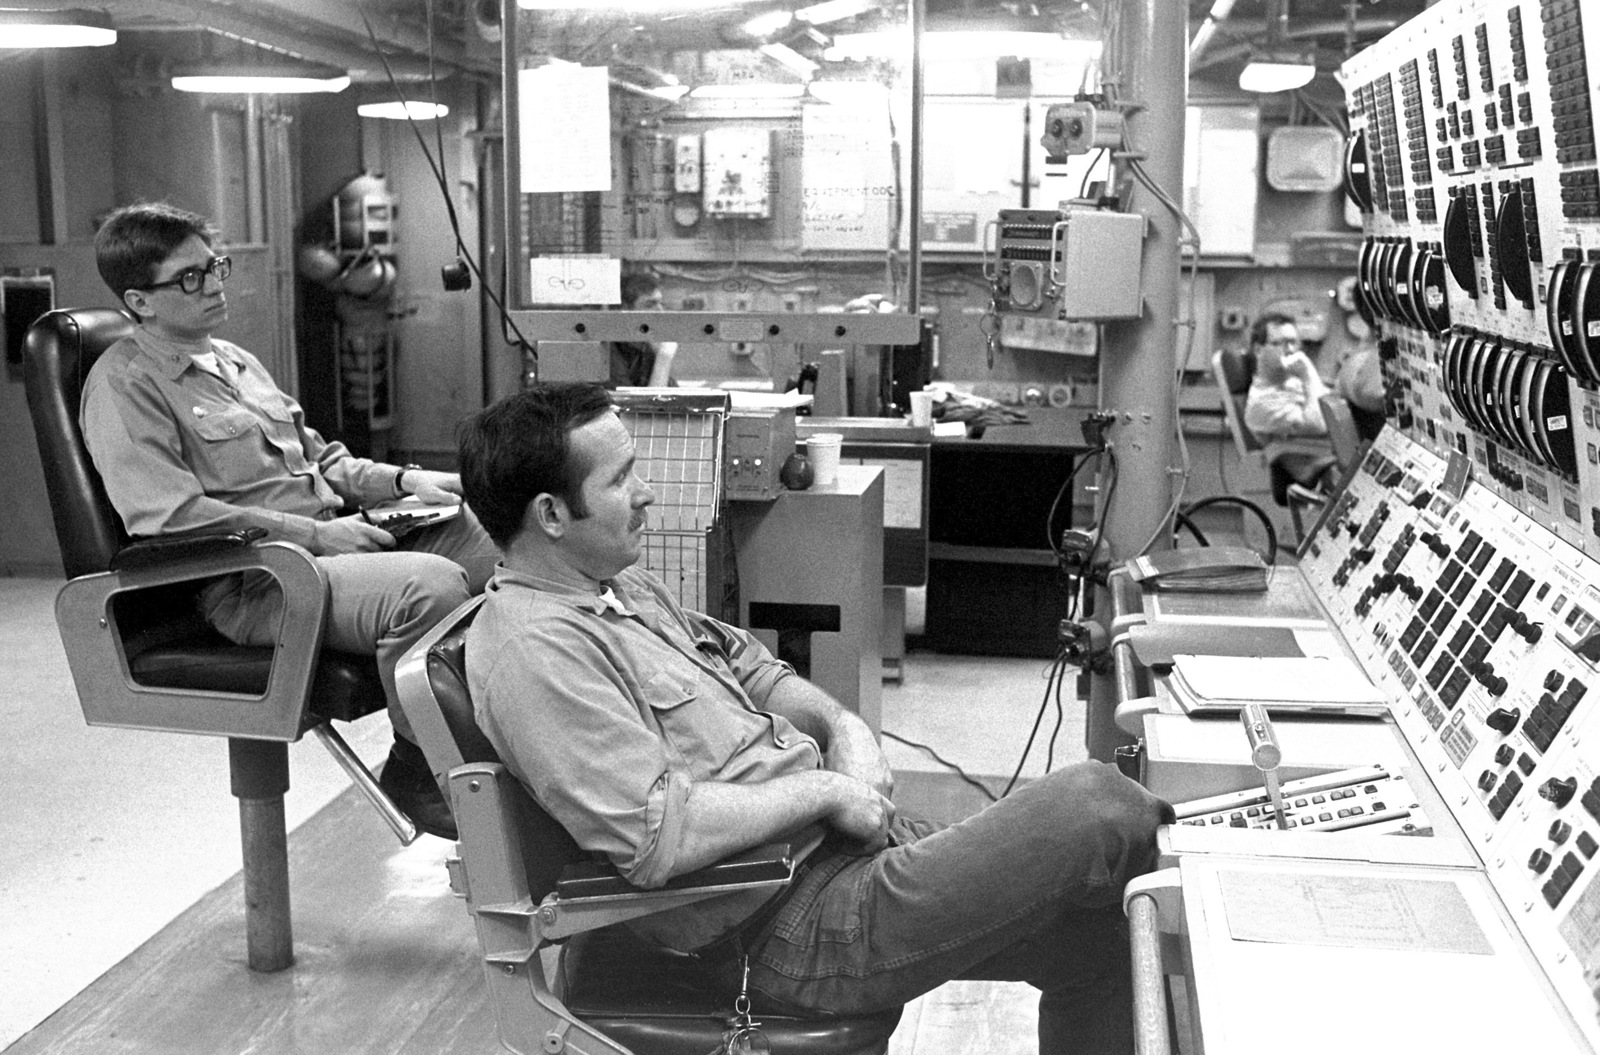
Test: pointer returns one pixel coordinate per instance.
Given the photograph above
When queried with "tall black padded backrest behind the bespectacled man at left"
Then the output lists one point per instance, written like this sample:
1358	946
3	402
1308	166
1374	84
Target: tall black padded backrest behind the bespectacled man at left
60	350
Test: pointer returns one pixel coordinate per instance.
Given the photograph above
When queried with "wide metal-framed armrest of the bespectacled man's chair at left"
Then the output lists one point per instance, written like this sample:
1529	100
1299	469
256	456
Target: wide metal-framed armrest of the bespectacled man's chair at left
87	619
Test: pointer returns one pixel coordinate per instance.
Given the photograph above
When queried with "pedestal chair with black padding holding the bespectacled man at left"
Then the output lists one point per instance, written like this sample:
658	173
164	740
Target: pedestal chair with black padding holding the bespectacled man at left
143	659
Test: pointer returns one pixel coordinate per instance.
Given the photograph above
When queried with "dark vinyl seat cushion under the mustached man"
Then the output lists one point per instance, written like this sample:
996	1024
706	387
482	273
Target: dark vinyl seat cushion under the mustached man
665	1003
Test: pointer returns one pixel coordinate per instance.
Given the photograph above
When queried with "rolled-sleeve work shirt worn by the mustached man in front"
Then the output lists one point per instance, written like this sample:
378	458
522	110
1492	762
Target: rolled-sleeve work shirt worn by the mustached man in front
609	708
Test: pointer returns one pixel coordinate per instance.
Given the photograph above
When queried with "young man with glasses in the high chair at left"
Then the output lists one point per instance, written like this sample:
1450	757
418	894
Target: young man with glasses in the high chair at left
191	435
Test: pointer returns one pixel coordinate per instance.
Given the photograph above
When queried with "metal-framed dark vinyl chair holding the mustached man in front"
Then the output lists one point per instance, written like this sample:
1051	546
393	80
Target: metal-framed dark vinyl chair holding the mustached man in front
530	889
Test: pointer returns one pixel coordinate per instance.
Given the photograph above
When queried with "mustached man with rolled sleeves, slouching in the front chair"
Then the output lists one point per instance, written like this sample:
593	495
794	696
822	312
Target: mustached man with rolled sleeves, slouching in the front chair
670	740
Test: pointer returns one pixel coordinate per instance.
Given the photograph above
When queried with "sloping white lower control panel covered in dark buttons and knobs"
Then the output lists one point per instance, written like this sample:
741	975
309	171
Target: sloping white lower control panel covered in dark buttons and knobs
1484	628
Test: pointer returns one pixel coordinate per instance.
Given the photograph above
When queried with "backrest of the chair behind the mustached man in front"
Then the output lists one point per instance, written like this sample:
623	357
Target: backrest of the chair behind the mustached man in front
450	736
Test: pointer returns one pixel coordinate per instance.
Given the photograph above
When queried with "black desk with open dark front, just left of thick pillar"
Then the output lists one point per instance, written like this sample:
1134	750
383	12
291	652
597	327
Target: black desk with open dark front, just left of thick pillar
993	582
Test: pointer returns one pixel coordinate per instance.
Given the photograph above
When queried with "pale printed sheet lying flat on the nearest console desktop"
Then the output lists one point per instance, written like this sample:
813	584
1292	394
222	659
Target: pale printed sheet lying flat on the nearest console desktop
1351	912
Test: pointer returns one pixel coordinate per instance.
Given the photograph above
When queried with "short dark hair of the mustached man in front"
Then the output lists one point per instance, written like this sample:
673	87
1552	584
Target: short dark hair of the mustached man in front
521	447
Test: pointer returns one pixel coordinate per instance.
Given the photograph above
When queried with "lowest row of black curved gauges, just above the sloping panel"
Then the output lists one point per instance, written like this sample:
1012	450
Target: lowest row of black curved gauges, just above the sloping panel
1513	395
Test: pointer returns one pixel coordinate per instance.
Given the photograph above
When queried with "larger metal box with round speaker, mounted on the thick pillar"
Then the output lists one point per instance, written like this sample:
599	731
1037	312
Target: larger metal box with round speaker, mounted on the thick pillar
1071	263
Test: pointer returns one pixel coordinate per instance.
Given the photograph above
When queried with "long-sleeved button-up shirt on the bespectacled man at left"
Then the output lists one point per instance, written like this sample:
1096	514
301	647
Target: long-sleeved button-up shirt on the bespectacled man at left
182	449
